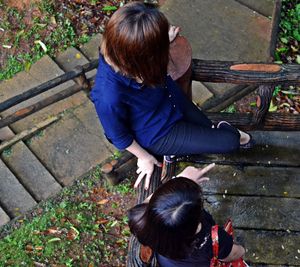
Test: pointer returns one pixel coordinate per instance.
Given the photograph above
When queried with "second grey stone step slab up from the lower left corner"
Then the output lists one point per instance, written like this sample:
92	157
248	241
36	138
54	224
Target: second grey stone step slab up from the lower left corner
13	196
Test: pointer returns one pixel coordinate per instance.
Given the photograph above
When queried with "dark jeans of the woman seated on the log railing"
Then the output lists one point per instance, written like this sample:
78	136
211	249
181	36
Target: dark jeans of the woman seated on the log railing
194	135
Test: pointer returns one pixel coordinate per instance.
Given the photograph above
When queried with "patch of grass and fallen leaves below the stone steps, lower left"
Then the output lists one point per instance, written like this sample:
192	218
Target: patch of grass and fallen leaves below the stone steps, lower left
84	226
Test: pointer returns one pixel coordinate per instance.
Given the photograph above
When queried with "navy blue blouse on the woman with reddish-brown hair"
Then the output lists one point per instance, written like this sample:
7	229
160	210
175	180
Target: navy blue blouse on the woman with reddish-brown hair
129	110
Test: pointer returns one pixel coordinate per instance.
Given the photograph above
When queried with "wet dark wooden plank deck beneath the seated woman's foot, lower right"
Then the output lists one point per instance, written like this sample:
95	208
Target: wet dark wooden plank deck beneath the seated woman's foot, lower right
259	190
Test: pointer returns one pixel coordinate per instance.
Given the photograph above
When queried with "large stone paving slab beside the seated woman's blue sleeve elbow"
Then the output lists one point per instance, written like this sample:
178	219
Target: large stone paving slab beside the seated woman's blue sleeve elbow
73	145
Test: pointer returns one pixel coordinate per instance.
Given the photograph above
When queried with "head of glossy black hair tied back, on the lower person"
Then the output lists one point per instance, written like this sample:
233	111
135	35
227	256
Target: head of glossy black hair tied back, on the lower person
168	223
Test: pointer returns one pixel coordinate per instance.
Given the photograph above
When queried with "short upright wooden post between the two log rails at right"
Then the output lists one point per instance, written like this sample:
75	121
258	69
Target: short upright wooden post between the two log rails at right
263	101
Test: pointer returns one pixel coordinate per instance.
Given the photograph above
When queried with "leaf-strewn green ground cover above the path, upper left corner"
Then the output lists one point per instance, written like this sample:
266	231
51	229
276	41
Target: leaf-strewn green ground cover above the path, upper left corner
31	29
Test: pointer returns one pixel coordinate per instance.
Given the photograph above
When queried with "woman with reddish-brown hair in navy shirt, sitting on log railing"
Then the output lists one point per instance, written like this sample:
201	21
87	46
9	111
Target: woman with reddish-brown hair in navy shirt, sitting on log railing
140	107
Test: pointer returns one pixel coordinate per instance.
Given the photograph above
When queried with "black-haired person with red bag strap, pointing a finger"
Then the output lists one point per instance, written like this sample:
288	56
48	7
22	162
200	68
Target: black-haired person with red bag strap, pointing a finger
177	228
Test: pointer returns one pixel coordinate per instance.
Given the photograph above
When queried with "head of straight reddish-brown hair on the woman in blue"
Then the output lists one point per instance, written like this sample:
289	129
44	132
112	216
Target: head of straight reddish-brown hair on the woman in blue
136	42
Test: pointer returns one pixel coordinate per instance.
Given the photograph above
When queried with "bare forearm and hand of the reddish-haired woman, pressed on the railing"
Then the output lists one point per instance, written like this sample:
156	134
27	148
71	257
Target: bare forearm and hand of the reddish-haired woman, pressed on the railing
145	163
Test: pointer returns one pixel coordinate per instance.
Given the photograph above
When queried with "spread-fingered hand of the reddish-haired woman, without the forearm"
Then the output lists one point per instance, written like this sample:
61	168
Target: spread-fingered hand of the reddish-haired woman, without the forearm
146	167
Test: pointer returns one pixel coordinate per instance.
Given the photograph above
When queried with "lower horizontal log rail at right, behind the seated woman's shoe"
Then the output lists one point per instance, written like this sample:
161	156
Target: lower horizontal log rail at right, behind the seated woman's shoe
272	121
